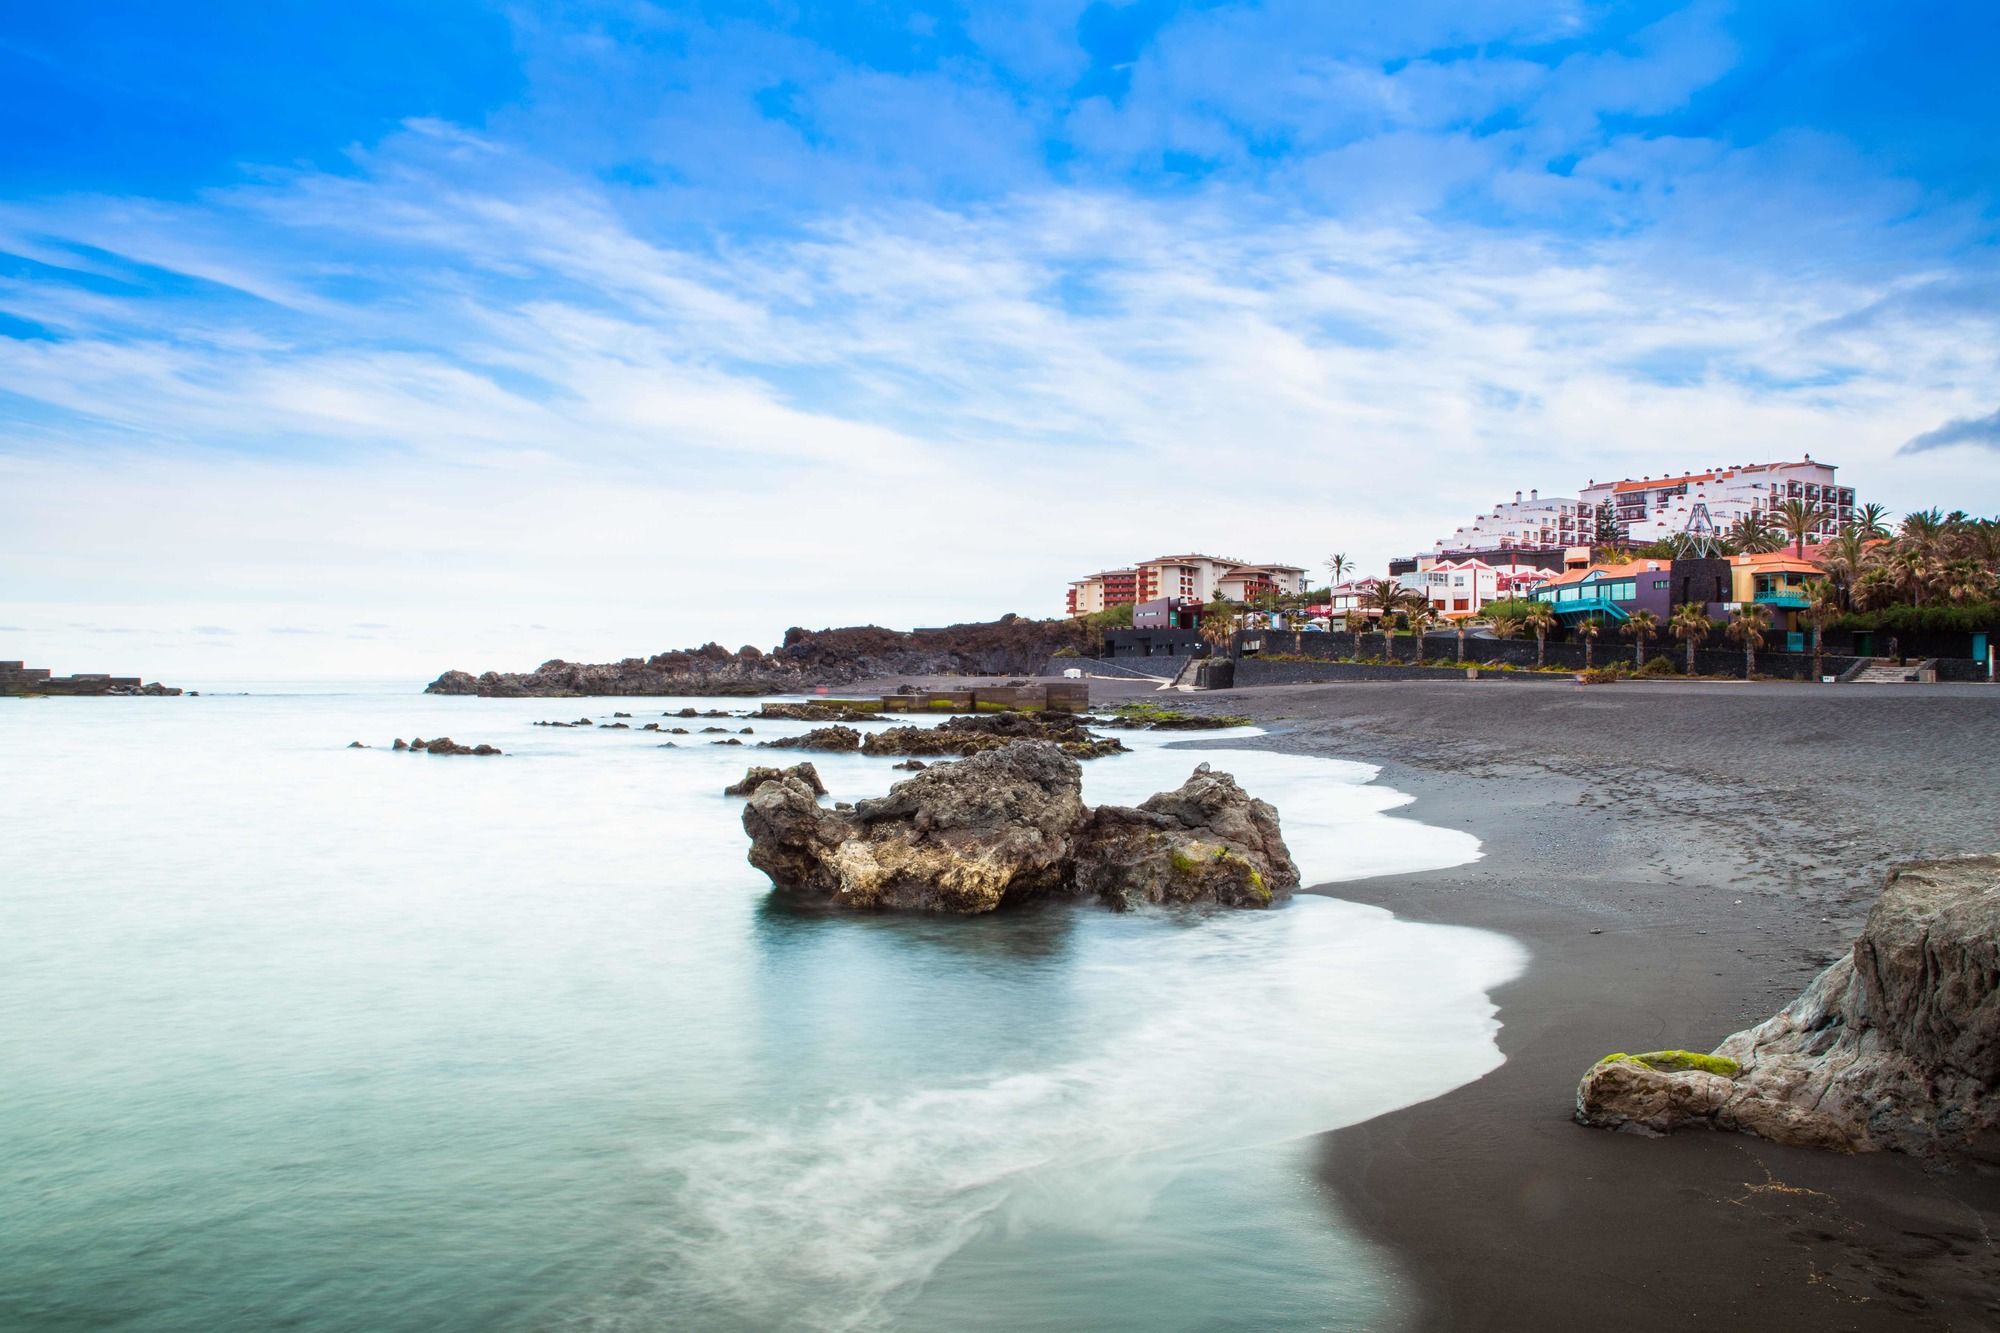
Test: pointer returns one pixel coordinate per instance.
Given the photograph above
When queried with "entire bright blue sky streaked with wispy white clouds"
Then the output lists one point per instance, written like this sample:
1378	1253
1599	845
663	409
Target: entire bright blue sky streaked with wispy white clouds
381	339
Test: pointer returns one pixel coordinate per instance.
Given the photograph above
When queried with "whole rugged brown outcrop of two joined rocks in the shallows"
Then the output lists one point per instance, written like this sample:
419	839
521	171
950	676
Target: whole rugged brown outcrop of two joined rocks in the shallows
1009	826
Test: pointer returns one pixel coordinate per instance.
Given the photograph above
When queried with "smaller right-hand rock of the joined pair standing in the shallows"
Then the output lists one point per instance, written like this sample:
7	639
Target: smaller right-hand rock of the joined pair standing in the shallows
1207	842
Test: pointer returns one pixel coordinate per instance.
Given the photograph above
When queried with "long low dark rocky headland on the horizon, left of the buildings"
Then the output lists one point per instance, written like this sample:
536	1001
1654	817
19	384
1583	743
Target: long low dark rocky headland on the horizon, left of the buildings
807	659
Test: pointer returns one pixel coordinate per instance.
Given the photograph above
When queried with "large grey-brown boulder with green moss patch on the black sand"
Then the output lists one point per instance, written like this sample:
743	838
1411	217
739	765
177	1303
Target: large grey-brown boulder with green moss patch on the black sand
1893	1048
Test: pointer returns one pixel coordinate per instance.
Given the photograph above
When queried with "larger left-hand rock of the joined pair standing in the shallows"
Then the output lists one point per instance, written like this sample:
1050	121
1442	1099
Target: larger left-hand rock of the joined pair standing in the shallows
967	838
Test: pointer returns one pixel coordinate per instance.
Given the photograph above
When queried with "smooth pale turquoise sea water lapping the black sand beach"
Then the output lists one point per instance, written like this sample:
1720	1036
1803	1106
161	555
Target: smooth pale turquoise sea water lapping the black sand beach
295	1036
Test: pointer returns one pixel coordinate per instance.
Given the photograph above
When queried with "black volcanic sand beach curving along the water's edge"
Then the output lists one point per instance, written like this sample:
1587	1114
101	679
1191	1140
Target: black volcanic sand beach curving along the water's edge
1671	892
